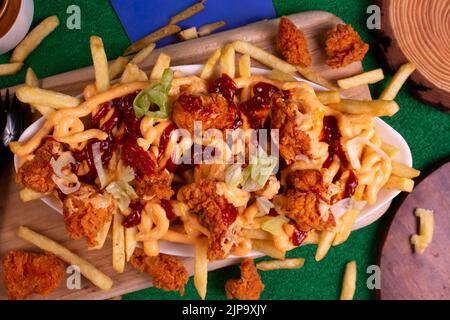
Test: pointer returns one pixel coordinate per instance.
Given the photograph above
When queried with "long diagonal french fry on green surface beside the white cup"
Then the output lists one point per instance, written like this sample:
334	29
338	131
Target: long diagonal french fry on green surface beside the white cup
34	38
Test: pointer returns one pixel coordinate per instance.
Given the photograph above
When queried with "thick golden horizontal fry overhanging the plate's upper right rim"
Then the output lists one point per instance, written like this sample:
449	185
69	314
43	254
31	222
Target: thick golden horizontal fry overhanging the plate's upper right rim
374	108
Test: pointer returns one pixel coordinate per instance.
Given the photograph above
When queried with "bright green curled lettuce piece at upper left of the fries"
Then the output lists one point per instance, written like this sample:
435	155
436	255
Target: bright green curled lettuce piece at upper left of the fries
158	94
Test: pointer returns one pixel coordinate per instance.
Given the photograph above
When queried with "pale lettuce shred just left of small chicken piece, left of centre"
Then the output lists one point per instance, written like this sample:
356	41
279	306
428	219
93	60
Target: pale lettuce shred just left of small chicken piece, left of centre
121	190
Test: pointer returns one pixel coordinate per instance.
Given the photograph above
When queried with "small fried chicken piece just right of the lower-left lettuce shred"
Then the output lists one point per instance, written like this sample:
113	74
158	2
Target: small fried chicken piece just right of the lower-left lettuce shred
152	185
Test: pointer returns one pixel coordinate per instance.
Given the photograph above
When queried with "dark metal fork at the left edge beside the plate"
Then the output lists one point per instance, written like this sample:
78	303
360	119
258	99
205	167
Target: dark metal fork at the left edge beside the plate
12	123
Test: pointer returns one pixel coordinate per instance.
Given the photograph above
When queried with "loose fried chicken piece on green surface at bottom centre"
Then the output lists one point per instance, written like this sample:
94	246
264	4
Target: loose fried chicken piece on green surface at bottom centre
249	286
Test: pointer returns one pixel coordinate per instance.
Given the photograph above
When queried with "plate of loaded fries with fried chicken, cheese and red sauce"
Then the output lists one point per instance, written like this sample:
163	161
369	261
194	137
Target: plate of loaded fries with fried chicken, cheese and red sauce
210	161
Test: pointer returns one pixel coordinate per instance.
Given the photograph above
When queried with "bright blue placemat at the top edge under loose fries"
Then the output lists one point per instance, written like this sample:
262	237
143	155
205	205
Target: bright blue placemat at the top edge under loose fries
141	17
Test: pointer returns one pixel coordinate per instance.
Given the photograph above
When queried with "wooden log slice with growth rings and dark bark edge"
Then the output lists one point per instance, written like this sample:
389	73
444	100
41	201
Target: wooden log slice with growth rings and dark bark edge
419	31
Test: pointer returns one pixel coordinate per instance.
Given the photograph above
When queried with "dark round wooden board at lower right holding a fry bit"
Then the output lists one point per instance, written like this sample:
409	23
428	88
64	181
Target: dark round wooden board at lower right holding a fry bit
409	276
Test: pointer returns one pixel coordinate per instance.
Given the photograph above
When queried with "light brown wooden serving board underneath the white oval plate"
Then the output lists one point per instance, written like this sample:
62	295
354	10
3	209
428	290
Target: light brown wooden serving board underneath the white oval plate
41	218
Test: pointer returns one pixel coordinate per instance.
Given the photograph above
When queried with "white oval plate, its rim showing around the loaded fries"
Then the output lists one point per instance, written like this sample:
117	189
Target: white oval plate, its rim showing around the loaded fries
367	216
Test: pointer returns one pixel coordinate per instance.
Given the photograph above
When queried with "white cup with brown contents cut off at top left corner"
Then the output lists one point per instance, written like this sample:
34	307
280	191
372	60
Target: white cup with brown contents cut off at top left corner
17	15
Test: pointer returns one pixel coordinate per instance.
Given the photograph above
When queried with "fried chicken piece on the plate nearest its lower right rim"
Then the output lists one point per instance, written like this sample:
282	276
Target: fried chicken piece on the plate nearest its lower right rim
306	209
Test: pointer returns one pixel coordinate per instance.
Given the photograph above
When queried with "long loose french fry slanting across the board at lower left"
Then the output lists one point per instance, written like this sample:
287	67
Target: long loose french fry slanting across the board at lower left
90	272
